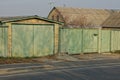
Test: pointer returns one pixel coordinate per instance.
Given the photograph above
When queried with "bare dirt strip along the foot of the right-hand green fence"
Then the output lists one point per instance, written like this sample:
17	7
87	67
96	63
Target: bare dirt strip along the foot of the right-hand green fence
92	56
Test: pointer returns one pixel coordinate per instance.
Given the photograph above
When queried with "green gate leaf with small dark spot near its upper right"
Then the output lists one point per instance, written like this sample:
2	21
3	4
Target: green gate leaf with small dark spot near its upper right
90	40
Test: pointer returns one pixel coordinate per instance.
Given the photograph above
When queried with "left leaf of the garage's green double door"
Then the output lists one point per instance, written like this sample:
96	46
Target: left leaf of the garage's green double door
22	40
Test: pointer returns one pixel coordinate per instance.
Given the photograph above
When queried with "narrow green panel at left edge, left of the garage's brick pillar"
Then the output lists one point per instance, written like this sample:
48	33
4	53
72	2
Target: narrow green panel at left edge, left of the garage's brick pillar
3	41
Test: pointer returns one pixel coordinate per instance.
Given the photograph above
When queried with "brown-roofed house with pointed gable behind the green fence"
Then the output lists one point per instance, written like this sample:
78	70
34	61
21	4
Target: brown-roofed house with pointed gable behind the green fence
80	17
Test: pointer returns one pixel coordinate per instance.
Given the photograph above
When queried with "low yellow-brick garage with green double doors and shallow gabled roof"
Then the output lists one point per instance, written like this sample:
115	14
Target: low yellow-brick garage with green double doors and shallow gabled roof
28	36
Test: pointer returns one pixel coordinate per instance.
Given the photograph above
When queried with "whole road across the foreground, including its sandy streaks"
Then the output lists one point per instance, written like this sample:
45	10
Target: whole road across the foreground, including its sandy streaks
77	70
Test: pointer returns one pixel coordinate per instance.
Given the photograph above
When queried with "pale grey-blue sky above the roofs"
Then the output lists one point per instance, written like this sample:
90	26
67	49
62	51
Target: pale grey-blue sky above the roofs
43	7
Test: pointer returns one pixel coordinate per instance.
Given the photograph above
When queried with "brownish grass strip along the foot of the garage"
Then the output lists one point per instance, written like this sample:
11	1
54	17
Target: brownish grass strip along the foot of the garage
12	60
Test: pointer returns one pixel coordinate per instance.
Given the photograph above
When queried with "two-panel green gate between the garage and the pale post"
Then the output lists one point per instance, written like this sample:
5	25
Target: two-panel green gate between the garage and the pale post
74	41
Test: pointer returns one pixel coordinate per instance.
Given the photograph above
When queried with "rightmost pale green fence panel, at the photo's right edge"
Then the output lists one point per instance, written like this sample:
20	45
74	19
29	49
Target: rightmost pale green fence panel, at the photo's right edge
115	40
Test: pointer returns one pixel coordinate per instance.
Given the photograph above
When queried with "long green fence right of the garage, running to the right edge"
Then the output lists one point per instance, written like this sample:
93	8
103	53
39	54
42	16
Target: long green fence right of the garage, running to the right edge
74	41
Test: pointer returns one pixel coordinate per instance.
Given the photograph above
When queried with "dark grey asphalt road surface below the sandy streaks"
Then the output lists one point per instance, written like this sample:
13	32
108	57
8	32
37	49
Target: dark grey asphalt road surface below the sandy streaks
87	73
